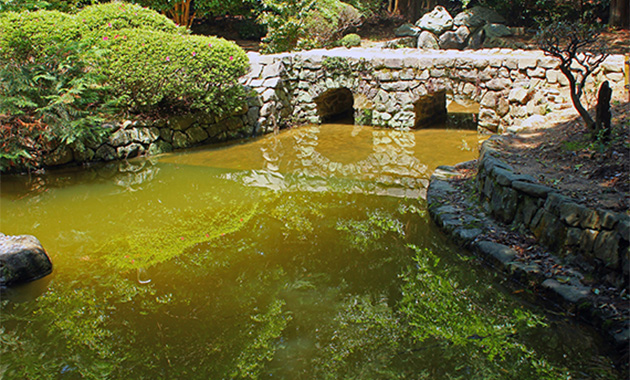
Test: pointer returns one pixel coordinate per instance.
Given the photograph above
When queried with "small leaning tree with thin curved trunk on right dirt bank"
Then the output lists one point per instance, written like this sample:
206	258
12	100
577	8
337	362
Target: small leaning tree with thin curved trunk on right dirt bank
580	51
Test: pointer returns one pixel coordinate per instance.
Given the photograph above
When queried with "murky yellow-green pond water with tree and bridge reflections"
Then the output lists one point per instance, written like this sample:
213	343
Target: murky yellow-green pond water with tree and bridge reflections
304	255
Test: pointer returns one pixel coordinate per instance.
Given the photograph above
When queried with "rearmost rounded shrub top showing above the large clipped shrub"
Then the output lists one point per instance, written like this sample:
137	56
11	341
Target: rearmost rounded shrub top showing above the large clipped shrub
116	16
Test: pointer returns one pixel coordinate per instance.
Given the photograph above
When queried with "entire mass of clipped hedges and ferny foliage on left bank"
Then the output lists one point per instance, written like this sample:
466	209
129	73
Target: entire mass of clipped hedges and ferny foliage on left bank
61	75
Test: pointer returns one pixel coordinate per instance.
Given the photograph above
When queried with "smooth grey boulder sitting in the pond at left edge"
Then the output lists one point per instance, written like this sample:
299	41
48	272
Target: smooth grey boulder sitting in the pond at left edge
22	259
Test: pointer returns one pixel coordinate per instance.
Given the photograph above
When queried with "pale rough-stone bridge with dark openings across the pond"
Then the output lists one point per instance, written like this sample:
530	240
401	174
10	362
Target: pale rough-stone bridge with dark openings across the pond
410	87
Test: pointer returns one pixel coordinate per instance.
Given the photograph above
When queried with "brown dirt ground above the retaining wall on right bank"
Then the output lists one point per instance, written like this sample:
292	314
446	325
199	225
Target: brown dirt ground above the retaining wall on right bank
565	156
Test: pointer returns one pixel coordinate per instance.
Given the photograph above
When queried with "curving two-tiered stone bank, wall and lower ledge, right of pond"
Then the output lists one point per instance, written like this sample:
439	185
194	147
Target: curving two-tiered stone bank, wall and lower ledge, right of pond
501	216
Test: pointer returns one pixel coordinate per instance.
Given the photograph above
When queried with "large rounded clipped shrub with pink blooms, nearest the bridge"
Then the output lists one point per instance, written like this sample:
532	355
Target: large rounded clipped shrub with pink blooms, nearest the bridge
150	69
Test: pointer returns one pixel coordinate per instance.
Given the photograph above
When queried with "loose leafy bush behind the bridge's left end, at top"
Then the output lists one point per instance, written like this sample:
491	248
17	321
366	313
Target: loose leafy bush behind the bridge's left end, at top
305	23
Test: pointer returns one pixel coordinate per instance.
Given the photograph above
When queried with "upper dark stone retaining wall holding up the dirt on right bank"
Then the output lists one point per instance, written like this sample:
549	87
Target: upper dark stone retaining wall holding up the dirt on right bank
596	240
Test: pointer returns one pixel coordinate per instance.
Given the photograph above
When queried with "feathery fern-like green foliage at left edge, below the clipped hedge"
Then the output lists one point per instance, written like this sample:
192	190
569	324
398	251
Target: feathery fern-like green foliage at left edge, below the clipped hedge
46	102
